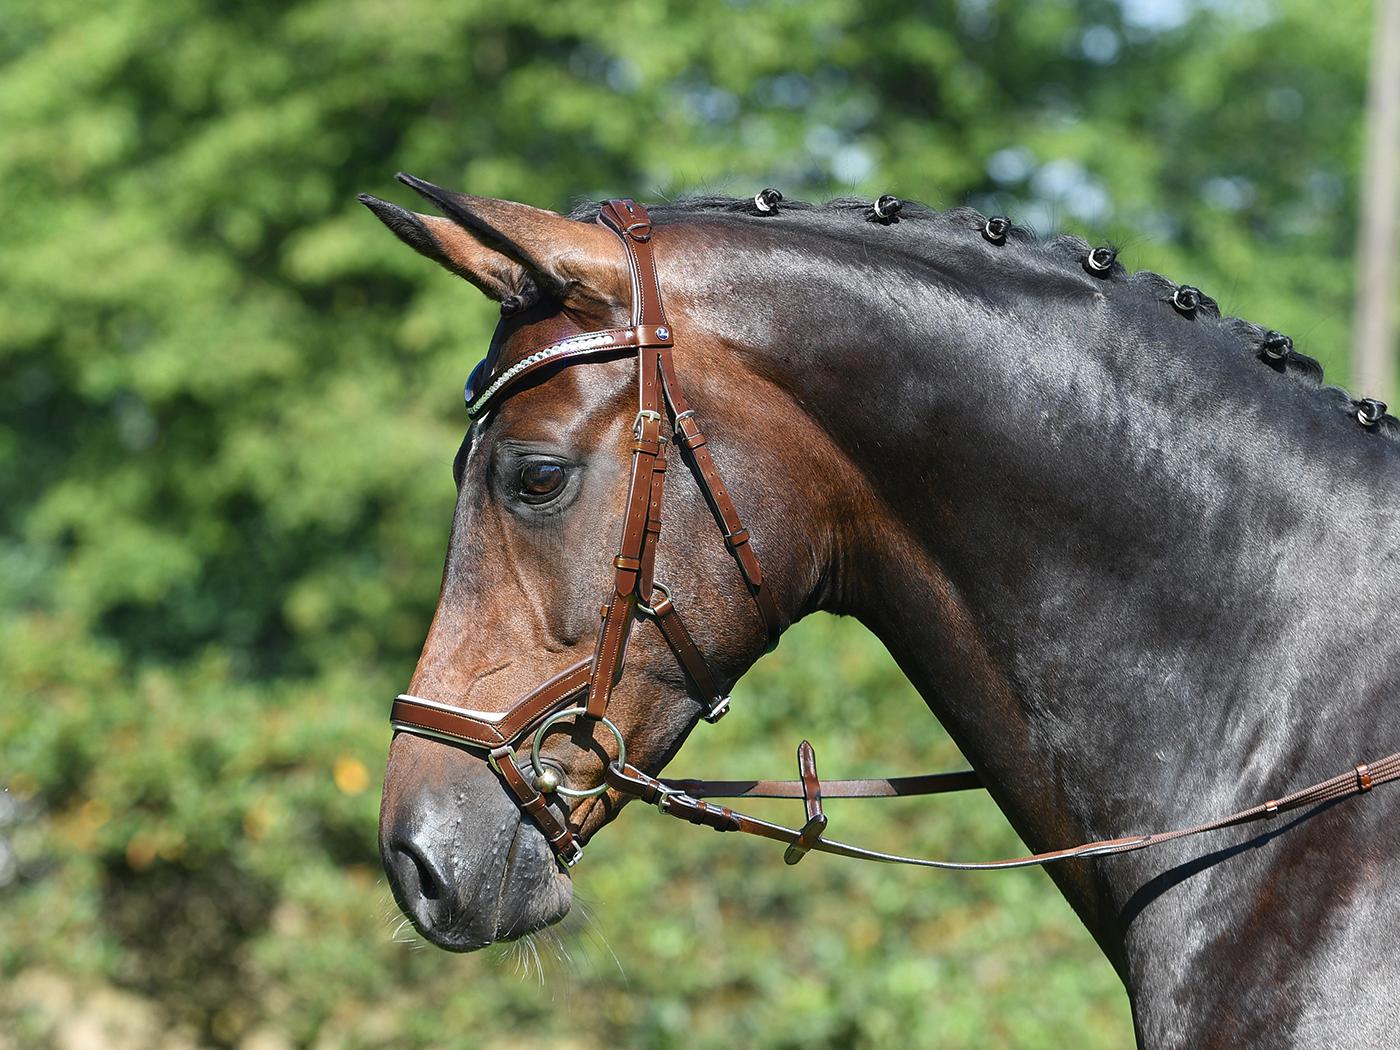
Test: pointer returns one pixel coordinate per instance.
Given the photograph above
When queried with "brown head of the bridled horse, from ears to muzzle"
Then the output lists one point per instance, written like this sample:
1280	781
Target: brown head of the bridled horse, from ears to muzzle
545	484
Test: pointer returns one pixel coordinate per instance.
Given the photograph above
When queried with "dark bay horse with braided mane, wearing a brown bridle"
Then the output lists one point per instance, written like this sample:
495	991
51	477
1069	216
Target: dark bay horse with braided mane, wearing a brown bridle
1135	555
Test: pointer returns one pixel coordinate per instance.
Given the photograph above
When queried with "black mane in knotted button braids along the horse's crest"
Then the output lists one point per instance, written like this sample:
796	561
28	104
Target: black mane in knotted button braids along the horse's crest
1065	248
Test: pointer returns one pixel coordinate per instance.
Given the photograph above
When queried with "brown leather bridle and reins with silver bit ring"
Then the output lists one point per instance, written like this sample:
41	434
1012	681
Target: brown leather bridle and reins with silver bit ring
584	689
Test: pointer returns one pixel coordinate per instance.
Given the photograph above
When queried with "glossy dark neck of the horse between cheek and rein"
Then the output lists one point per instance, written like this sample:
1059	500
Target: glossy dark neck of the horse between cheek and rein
1108	544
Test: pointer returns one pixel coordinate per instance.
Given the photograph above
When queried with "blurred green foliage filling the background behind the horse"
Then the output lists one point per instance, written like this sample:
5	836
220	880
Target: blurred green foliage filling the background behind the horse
229	402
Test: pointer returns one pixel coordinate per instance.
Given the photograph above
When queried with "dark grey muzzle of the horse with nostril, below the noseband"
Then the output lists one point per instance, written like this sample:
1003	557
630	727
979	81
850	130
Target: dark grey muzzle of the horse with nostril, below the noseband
482	894
